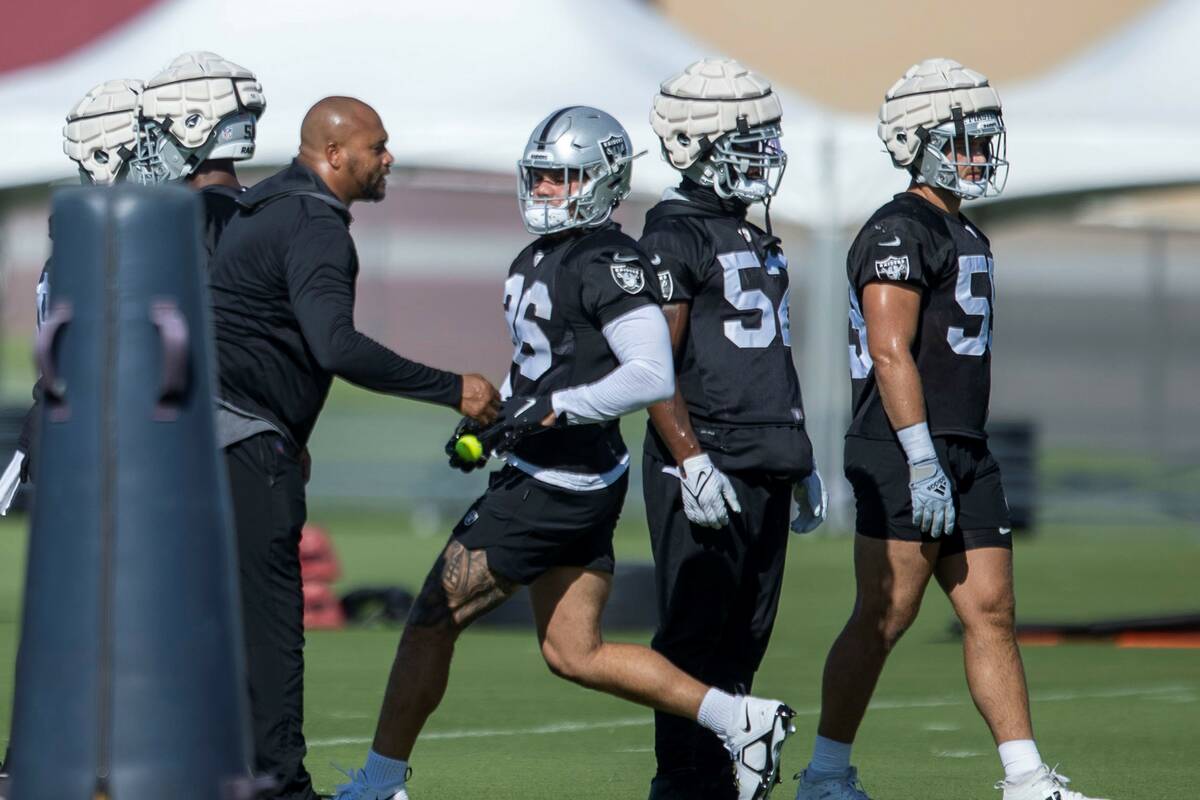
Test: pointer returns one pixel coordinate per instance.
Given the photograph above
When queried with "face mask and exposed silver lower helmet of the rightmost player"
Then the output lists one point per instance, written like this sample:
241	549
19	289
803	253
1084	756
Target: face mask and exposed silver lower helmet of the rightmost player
952	149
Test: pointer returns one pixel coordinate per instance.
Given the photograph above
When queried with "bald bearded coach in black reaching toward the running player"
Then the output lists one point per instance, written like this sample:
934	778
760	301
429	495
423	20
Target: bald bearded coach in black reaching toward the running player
283	287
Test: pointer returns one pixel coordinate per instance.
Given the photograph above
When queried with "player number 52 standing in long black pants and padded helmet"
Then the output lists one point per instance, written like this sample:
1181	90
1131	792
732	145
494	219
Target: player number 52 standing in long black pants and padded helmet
724	454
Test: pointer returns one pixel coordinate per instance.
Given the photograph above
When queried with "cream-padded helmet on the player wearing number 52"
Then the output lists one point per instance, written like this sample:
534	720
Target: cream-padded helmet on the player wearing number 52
719	124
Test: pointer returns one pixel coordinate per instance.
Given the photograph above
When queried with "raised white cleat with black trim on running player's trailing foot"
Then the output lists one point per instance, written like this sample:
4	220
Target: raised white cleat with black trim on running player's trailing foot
755	745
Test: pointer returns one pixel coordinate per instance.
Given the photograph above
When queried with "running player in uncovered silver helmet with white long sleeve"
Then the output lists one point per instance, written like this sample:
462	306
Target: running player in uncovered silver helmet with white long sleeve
590	345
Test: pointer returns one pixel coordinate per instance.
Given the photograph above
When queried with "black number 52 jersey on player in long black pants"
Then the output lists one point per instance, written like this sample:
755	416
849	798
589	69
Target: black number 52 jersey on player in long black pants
736	369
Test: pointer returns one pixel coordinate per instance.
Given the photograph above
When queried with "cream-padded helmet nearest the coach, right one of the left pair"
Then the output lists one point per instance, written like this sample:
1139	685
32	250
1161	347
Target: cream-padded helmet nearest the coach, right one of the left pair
201	107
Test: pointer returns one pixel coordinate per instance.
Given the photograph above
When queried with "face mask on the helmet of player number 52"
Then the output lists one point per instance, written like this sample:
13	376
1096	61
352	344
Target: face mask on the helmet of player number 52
745	165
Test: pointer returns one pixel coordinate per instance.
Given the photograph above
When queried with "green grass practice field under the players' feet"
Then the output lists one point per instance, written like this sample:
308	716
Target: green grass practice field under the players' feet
1124	724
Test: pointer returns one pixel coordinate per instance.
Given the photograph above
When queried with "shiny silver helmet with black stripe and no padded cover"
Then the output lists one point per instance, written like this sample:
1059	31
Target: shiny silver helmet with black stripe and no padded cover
590	154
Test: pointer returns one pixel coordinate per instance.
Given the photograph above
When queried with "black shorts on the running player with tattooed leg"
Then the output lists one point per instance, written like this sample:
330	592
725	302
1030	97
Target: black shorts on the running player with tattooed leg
529	527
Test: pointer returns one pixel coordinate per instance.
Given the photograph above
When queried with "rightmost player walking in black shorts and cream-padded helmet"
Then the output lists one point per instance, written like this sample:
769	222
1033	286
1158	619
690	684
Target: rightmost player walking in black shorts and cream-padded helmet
929	496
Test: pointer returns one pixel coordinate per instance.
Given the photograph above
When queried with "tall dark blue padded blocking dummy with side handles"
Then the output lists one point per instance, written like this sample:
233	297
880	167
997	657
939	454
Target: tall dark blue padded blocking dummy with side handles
130	677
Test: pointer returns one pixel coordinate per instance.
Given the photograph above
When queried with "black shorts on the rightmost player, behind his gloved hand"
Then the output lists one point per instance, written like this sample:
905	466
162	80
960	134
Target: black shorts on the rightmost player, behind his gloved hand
879	472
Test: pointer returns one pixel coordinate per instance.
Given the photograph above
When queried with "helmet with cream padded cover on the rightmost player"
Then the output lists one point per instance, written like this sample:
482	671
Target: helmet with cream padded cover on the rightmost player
941	121
